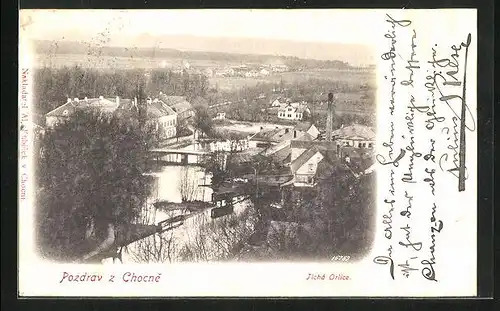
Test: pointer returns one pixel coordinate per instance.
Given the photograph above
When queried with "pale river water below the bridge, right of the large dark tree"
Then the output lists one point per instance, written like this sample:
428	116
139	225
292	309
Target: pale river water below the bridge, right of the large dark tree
198	233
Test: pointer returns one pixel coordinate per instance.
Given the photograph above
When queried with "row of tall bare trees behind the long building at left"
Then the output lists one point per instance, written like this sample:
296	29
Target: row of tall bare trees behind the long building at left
53	86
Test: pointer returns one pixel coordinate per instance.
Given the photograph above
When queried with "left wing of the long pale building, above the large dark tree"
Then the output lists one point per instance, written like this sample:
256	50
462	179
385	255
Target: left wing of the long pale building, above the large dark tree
65	111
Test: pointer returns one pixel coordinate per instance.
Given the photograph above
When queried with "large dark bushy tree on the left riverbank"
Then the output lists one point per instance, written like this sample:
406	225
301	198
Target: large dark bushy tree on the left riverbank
90	177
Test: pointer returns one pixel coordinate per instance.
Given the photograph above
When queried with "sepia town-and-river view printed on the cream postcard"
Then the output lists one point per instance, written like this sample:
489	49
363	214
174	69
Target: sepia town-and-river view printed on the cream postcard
171	147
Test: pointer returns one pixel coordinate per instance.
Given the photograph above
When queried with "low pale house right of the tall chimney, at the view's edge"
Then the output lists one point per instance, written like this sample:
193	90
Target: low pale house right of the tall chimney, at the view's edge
356	135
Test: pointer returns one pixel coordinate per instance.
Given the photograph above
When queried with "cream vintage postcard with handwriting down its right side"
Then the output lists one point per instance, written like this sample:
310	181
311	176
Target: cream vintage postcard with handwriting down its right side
252	153
